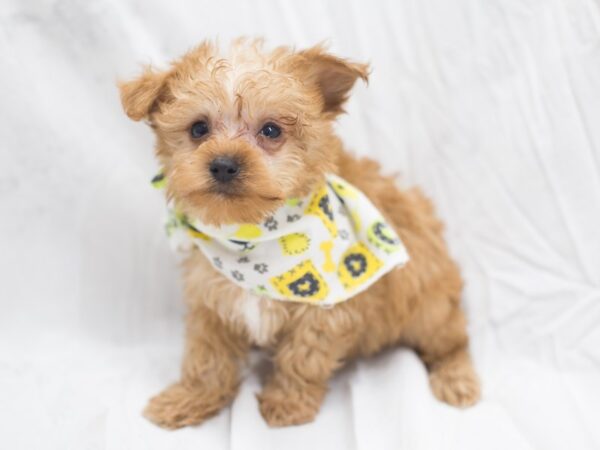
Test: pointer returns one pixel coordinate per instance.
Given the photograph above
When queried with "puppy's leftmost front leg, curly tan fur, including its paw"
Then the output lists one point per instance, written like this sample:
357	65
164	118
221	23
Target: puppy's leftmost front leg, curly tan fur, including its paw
209	376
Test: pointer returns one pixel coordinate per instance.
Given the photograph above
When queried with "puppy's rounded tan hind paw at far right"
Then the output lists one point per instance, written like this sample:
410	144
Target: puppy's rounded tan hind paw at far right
455	384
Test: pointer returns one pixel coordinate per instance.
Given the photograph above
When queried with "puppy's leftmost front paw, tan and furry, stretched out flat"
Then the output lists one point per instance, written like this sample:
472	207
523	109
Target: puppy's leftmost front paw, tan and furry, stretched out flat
179	406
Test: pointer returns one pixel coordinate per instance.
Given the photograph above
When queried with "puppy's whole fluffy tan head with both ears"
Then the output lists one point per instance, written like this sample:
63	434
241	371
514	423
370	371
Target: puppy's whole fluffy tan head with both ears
239	133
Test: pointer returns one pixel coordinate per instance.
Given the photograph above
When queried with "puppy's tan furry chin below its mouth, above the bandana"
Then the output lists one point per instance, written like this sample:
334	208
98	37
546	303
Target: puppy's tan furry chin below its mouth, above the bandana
226	206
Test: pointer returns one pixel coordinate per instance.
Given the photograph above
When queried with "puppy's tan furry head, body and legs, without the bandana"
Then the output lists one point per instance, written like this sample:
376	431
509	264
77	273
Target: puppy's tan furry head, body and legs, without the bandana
416	305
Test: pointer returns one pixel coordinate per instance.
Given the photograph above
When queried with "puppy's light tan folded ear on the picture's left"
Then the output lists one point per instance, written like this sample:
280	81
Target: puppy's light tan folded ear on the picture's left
139	95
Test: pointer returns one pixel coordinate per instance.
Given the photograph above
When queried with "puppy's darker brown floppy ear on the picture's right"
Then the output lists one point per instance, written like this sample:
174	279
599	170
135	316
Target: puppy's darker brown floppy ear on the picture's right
334	76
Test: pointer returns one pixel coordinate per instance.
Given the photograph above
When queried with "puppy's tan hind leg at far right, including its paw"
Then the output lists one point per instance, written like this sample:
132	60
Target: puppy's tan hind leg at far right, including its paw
438	333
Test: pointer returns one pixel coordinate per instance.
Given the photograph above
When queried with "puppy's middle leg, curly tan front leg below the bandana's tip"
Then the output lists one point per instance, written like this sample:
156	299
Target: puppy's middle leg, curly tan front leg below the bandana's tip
304	361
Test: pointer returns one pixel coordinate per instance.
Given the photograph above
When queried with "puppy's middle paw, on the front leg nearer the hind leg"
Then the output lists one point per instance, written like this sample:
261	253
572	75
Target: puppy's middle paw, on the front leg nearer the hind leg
280	408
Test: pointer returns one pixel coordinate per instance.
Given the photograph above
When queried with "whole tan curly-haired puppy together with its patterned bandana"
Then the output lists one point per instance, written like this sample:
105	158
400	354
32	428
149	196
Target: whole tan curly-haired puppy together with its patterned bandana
242	135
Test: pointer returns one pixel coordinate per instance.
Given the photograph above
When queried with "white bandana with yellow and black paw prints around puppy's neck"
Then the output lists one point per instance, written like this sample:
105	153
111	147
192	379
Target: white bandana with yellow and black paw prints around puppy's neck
321	249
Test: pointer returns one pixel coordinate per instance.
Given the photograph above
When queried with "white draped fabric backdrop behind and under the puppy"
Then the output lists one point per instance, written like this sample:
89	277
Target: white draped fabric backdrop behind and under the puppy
491	106
